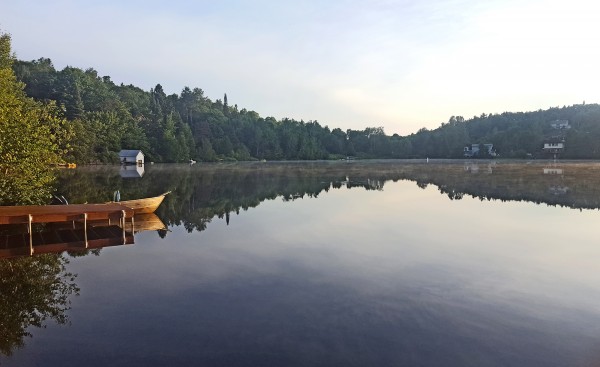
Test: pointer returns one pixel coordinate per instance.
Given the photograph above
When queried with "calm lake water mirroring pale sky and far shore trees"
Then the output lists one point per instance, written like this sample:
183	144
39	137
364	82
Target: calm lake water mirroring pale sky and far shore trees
380	263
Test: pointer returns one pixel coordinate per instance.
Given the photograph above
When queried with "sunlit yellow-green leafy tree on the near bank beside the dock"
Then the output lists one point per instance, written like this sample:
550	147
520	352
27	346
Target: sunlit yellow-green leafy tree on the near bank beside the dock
33	135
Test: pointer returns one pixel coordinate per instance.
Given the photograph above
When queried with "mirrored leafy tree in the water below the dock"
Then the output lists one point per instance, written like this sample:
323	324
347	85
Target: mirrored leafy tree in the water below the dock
33	290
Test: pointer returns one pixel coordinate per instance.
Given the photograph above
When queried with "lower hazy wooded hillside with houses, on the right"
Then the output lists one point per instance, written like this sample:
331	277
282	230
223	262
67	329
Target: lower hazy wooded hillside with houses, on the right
517	135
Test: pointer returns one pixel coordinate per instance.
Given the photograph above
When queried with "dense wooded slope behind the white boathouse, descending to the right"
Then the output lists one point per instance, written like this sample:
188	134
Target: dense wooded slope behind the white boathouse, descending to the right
107	117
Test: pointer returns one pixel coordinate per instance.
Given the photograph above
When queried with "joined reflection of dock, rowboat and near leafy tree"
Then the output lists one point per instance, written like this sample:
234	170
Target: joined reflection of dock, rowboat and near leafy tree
35	286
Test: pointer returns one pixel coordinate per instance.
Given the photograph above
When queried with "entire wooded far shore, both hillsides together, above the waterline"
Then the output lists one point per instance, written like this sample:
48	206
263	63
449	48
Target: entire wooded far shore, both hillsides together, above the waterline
106	117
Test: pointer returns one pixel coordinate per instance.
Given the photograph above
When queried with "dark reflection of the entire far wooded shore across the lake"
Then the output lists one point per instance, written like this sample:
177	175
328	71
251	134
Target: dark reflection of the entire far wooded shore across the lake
203	192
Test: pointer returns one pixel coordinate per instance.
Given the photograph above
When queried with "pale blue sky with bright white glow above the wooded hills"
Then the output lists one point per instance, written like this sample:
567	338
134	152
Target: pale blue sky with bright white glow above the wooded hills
398	64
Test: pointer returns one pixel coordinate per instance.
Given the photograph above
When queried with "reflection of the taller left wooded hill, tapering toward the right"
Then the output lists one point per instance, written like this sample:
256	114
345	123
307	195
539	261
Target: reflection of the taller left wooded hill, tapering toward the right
202	193
